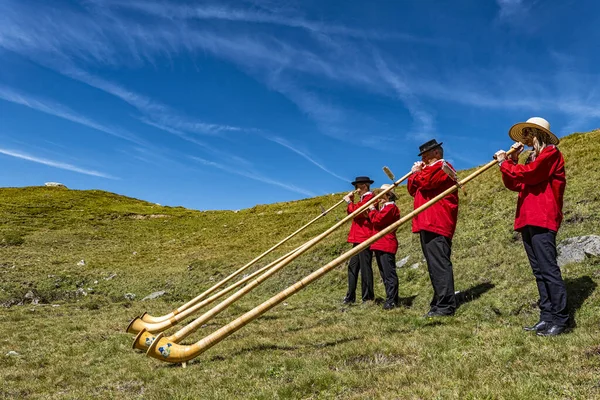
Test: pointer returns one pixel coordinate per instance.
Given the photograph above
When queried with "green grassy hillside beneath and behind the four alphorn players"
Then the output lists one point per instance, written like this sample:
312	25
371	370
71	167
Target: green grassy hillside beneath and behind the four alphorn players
73	345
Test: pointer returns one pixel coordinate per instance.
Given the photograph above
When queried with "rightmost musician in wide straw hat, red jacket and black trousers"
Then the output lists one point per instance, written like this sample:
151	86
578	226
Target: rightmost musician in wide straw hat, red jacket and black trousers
540	183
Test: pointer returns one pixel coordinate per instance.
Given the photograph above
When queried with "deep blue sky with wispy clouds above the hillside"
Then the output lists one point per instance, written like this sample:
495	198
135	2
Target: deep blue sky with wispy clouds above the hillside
224	105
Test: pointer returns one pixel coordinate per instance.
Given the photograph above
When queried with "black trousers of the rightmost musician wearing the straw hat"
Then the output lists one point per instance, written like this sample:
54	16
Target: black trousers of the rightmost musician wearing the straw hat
540	246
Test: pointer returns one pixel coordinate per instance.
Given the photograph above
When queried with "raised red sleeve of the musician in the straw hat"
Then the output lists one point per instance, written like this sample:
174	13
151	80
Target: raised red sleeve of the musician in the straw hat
539	170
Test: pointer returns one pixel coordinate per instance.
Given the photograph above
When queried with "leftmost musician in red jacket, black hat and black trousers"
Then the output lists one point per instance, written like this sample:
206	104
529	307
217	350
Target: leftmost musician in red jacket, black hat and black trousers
360	230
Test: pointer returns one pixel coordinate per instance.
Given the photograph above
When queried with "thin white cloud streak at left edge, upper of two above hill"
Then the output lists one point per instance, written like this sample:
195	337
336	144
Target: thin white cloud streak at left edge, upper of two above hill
61	111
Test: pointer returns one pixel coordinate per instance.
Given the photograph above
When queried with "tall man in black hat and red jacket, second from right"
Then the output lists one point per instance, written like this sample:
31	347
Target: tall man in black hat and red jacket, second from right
435	225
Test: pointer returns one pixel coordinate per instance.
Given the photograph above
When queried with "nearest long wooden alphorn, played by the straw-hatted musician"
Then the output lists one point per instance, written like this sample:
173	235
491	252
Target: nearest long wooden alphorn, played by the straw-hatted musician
168	351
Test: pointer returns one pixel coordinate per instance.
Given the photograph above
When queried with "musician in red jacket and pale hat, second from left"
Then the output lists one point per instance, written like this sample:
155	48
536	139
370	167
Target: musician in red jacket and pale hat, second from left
385	248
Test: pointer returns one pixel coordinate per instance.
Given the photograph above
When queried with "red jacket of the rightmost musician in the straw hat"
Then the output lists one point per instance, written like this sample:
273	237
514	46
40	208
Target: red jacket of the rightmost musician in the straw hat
541	186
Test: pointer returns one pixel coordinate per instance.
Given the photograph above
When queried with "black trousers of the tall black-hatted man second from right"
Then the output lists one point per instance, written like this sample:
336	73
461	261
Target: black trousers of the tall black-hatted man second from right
437	250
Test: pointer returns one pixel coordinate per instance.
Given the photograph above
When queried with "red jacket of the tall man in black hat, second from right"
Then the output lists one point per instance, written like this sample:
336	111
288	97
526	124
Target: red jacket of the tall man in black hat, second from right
441	217
